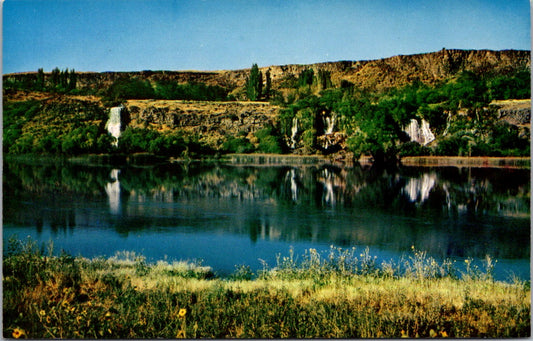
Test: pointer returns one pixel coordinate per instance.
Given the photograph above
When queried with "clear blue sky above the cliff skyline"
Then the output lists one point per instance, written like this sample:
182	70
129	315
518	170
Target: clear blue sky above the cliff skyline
135	35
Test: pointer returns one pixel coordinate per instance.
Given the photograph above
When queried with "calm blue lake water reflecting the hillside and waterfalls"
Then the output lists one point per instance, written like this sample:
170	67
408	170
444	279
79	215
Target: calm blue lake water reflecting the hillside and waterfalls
230	215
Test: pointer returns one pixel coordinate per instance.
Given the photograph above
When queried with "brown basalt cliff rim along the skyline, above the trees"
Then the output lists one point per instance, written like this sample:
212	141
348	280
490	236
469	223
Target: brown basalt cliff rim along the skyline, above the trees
377	74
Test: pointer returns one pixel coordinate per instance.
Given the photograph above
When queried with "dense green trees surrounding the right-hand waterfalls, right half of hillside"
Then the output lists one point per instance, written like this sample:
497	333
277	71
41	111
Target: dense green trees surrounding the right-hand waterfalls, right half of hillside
457	110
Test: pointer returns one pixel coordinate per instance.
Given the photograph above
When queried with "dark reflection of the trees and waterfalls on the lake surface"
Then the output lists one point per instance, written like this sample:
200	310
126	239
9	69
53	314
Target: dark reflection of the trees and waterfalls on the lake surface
461	212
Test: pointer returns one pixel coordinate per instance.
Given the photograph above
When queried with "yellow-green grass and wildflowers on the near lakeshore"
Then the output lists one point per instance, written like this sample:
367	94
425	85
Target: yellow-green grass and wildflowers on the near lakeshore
340	294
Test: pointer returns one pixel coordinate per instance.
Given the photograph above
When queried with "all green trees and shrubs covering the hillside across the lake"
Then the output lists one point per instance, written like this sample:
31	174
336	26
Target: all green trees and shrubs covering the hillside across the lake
371	123
